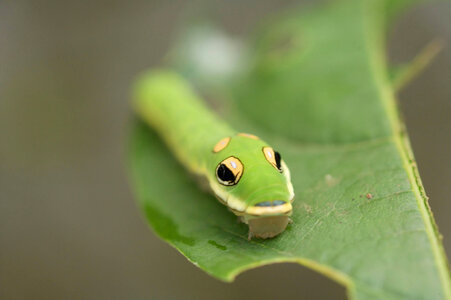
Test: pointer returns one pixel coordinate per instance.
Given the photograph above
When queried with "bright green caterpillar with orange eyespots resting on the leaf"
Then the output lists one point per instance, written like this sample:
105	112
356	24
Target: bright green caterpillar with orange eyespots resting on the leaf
244	172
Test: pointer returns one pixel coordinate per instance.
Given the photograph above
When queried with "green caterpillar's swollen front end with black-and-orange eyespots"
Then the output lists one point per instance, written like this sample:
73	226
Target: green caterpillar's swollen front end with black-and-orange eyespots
252	179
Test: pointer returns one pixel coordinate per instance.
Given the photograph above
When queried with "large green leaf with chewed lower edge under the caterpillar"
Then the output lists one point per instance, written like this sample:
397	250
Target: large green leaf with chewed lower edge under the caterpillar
320	92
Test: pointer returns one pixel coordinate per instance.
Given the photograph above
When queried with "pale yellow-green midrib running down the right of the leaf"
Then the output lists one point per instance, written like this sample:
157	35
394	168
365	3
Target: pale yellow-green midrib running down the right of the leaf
378	62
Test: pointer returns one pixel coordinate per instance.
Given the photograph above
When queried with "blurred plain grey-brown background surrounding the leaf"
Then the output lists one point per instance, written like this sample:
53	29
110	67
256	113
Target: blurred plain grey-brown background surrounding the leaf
69	226
